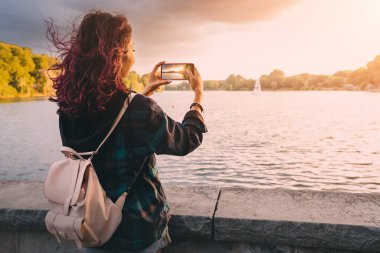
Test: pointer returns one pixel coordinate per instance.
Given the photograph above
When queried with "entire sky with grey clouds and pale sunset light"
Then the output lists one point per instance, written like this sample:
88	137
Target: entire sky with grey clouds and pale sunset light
221	37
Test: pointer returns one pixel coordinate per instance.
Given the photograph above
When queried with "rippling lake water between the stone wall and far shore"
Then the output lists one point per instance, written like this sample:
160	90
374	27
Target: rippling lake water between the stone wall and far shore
295	140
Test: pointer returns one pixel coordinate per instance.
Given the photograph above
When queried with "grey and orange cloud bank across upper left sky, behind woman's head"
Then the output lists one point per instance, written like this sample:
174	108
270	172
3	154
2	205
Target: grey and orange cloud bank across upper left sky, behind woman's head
157	25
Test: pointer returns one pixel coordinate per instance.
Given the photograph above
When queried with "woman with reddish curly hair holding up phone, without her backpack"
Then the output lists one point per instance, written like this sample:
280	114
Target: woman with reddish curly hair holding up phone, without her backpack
89	94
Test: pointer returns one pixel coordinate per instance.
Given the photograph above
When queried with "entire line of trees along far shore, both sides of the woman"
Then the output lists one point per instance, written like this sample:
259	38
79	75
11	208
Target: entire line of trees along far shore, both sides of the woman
24	74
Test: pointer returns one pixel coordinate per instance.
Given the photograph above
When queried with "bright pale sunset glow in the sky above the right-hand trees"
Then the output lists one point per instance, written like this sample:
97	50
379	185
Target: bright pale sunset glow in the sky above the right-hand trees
313	36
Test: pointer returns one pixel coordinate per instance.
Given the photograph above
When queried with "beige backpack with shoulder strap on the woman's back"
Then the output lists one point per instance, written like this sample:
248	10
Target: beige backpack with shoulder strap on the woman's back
80	209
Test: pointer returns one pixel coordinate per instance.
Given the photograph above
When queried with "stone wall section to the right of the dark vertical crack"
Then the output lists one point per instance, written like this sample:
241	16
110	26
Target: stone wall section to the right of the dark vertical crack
333	220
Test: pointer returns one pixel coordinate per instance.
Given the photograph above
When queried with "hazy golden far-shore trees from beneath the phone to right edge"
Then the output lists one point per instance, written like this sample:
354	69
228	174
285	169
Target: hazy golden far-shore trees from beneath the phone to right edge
366	78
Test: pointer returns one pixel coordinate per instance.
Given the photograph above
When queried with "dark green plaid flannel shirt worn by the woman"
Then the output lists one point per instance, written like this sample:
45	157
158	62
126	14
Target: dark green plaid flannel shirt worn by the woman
143	131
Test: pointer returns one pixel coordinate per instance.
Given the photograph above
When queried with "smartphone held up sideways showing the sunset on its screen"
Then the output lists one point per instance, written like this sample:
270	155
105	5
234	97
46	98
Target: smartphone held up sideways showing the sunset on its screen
176	71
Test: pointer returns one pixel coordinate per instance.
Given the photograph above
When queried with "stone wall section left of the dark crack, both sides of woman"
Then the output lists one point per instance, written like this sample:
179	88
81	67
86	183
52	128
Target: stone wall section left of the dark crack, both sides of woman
23	207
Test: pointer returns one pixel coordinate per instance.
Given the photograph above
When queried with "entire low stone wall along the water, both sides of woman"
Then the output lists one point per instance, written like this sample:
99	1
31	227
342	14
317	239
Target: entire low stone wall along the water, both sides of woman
210	219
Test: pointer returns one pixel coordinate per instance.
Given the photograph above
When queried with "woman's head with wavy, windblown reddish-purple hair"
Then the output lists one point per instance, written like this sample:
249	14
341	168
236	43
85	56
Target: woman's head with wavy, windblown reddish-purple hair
92	63
